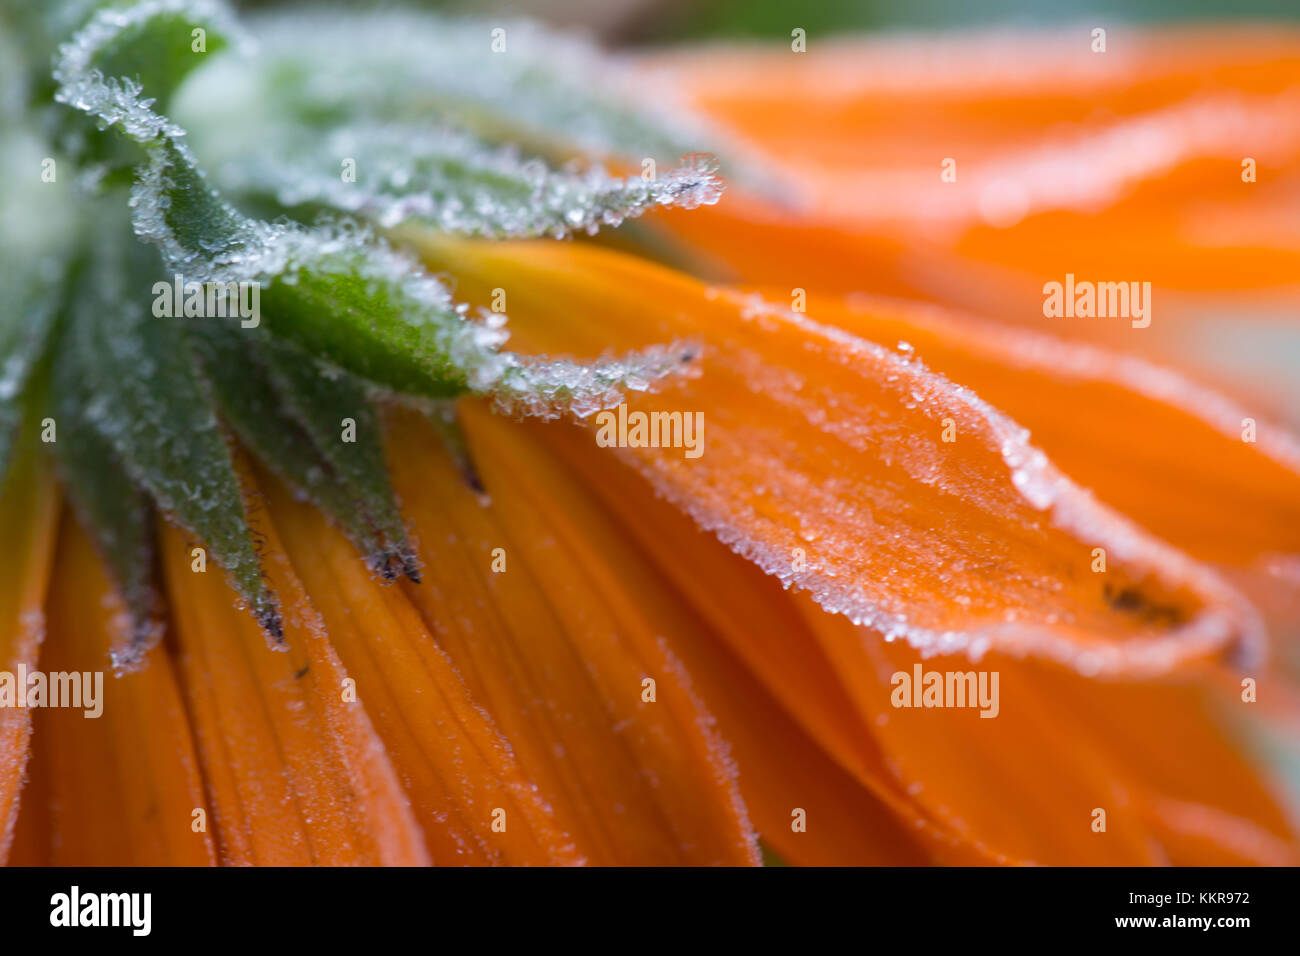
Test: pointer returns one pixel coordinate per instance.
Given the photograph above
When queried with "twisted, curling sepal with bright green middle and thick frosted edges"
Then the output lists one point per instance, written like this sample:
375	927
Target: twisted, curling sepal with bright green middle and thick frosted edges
344	296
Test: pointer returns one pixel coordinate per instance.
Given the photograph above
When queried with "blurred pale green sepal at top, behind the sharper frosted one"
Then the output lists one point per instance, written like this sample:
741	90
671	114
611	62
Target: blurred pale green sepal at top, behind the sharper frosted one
551	94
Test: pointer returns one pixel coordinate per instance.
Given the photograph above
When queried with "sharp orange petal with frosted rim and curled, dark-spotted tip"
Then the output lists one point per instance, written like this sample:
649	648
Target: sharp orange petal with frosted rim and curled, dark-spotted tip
825	464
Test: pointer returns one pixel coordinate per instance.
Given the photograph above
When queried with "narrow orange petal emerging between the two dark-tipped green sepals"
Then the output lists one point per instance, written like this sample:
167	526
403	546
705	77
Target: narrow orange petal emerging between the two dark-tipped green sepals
461	773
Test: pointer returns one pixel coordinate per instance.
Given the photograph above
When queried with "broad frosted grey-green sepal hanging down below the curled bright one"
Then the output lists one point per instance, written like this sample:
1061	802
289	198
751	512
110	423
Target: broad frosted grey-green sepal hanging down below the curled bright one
144	395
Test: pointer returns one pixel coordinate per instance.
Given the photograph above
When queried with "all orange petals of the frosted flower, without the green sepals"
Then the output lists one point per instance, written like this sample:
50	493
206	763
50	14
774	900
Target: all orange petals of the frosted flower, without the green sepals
905	470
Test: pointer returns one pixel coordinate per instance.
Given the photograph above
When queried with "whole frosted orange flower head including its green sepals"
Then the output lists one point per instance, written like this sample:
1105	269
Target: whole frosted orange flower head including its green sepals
861	517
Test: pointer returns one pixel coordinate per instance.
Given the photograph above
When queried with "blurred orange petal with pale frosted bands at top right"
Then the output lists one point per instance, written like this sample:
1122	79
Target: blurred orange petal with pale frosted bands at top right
1050	127
